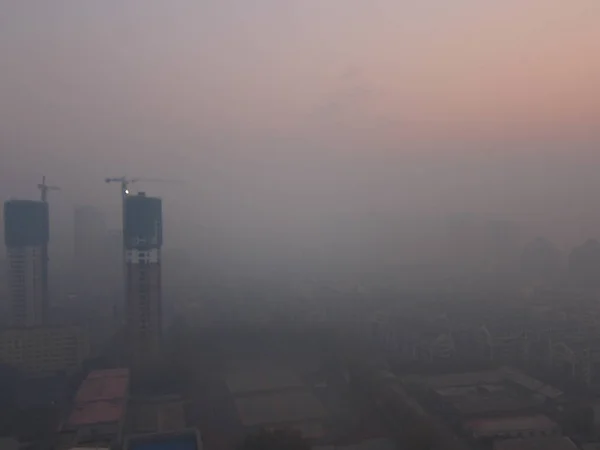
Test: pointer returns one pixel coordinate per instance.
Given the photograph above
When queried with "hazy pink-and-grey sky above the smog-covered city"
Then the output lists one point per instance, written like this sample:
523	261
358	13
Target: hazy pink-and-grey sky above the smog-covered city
275	111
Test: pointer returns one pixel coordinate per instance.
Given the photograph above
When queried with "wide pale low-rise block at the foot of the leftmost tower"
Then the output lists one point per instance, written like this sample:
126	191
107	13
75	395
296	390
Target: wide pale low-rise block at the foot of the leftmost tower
44	350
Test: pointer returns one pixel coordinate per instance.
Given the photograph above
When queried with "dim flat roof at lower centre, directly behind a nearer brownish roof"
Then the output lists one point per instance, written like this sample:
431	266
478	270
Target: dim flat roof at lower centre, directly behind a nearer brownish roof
259	378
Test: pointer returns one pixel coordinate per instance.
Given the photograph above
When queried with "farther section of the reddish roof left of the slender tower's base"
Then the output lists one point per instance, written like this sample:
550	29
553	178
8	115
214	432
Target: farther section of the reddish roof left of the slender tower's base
103	385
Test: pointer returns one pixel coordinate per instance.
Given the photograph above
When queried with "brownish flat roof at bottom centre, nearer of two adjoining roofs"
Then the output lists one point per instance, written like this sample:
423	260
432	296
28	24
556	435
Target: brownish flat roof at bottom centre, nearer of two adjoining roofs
280	407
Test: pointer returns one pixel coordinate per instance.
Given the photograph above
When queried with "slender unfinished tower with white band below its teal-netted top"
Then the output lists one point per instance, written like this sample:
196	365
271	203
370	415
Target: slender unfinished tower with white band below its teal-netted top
143	242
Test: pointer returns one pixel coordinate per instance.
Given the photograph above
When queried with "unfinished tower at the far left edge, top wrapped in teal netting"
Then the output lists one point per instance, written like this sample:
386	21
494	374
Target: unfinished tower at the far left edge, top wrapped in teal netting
26	235
